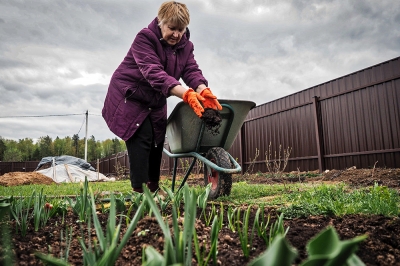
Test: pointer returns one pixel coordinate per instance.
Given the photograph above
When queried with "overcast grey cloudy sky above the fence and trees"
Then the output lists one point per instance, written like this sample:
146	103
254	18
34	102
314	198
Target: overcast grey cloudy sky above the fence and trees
57	56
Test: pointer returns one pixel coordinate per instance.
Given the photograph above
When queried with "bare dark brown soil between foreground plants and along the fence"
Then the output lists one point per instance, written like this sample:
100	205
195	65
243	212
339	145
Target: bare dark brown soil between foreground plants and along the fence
382	247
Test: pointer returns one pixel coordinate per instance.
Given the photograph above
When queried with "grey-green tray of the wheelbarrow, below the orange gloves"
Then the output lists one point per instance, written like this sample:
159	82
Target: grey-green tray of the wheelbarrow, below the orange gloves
184	127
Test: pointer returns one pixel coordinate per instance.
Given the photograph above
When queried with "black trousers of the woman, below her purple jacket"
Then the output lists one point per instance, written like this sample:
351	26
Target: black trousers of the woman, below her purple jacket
144	155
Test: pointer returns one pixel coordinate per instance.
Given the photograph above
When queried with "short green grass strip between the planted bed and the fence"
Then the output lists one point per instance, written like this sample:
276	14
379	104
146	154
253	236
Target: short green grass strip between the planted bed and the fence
294	200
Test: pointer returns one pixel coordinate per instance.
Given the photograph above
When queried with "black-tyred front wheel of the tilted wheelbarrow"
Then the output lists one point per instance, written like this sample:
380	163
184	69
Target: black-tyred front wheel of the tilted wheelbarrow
221	183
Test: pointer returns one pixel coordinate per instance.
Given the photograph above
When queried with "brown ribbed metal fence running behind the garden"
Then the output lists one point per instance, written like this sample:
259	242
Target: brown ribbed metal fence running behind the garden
353	120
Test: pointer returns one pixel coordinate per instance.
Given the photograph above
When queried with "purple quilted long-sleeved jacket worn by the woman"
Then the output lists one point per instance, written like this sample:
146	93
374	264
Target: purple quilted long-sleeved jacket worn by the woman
140	85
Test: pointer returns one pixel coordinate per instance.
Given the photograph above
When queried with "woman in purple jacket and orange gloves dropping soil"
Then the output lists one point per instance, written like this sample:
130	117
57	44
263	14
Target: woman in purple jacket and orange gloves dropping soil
135	107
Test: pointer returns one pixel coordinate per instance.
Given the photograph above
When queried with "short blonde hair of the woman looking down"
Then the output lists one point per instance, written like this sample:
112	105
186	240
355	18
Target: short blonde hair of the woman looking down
175	13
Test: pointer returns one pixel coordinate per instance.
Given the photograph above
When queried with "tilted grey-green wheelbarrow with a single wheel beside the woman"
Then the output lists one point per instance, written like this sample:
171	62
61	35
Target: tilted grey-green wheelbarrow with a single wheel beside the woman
188	137
